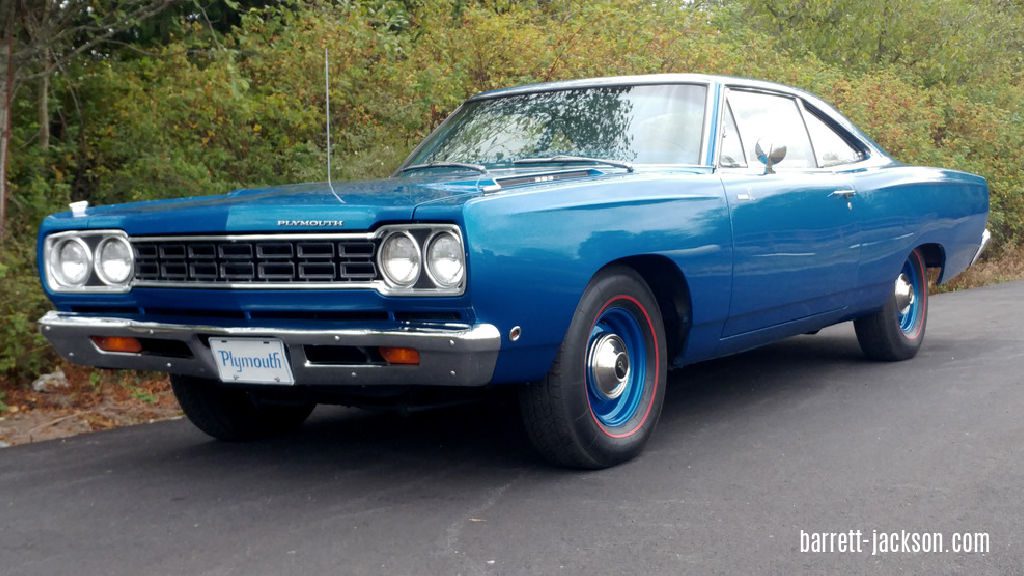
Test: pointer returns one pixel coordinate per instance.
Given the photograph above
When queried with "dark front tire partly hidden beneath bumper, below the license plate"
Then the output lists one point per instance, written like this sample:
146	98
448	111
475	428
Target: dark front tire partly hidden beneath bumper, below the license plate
235	415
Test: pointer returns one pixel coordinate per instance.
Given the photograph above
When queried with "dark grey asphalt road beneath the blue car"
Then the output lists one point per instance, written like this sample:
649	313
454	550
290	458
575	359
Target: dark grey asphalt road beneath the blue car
803	435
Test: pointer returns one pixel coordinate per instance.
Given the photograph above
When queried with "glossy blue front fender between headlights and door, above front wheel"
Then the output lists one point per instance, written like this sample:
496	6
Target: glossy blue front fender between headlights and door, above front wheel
533	252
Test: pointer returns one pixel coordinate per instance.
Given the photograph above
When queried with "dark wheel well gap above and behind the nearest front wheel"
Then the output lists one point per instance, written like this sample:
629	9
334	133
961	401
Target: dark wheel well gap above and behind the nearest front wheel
672	293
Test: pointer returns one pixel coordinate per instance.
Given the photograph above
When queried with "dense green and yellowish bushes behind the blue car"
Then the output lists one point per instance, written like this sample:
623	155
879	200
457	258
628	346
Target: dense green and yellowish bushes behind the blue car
199	107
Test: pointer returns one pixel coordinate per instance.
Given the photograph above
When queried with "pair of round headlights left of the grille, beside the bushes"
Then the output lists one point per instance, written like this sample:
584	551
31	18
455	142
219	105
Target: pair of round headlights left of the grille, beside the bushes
90	262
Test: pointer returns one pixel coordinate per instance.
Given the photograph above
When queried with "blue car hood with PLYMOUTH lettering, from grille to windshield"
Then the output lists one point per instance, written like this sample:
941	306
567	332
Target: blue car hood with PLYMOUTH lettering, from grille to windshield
321	208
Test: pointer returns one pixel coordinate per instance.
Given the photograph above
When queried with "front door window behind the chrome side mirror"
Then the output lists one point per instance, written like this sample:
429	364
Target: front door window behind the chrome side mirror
776	119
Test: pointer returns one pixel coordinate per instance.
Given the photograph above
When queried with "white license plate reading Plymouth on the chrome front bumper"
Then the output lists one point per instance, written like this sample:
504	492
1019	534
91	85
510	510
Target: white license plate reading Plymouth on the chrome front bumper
253	361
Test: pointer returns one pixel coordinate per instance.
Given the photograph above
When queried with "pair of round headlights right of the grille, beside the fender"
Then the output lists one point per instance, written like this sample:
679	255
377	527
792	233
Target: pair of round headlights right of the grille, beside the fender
423	259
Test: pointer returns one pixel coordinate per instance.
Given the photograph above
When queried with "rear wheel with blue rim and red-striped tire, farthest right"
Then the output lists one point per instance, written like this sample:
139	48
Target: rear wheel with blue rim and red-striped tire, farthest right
898	331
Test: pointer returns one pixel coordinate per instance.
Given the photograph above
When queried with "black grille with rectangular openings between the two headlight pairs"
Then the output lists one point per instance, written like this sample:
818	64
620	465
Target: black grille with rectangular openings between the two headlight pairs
267	261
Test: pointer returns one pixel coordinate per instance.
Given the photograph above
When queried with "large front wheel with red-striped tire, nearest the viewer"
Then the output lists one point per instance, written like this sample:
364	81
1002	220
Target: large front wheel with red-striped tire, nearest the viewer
600	403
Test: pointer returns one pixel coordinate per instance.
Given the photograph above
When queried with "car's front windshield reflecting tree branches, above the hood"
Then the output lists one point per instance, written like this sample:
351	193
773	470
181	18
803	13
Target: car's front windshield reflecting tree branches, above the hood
641	125
